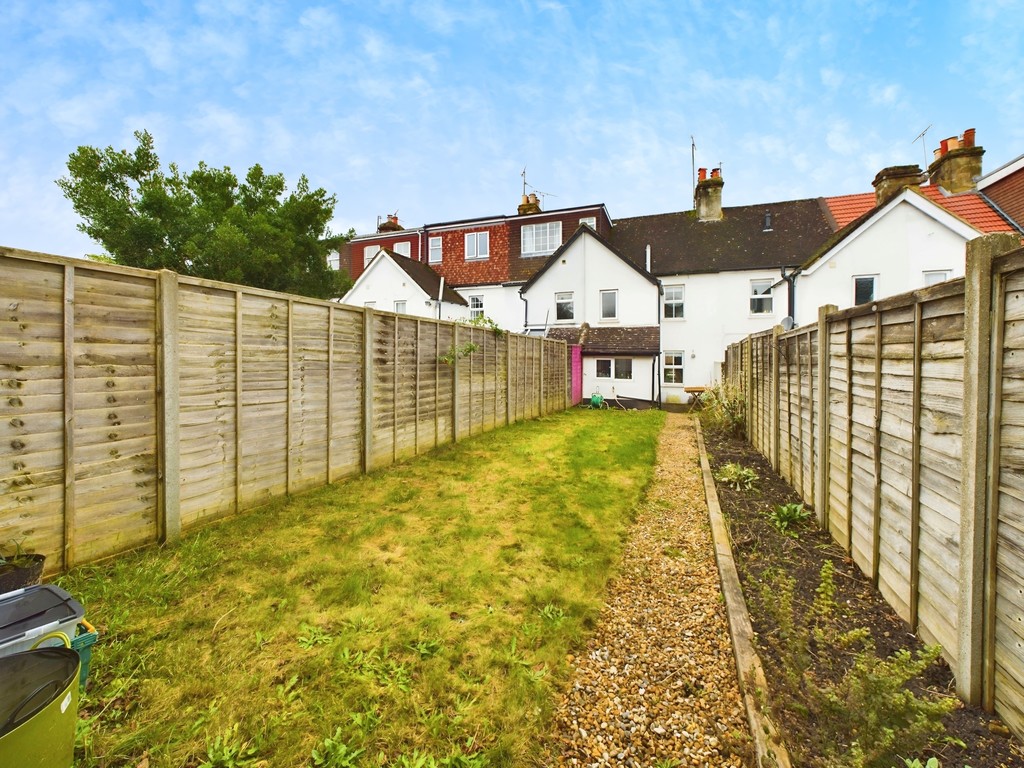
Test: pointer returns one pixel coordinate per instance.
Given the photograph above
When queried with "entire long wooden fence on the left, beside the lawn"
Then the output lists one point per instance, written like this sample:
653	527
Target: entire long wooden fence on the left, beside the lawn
135	405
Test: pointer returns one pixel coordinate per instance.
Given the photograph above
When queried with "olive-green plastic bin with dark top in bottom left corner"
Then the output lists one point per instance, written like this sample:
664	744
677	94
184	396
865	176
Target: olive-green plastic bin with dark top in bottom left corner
39	708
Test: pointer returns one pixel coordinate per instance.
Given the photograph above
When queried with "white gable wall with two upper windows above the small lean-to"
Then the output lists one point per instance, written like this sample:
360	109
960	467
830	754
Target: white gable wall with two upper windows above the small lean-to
586	270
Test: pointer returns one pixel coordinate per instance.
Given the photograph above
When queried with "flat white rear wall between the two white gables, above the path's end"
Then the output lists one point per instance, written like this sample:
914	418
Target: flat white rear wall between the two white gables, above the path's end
717	314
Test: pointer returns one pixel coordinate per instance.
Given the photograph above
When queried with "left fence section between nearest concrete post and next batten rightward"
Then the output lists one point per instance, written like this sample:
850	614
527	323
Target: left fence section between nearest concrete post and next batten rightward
208	413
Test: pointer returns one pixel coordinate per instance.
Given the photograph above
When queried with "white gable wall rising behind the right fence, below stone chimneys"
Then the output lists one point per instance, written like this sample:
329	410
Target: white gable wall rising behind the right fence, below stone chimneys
900	246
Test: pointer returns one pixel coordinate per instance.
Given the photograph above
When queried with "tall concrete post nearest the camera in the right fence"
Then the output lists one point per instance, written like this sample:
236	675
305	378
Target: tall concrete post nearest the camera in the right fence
975	462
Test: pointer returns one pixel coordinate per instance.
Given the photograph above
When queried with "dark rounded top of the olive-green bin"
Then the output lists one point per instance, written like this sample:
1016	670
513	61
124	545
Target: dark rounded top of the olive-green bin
31	681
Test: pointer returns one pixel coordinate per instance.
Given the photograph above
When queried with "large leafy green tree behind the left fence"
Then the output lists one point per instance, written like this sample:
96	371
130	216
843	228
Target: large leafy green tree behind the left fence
205	224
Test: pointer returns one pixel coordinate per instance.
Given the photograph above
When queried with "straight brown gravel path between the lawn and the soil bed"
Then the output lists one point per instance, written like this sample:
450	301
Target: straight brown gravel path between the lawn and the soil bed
658	681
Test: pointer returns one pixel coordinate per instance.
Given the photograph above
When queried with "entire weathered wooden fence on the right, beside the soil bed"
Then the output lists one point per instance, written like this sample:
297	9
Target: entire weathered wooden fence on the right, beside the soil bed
903	423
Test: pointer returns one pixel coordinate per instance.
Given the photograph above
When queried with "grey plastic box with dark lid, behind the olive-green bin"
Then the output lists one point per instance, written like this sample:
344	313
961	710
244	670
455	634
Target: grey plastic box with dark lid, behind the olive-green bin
37	617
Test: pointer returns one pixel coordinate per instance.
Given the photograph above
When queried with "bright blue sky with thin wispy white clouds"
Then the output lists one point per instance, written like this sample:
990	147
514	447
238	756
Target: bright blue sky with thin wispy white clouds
433	109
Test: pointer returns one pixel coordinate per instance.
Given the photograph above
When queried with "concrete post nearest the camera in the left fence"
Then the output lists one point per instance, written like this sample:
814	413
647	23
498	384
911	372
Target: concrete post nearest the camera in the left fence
169	500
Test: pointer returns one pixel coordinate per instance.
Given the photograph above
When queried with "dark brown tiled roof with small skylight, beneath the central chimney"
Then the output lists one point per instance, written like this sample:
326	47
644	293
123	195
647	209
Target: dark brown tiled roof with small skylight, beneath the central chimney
684	245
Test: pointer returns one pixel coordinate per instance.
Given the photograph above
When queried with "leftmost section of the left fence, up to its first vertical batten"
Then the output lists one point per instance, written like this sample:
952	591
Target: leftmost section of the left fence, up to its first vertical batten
32	405
